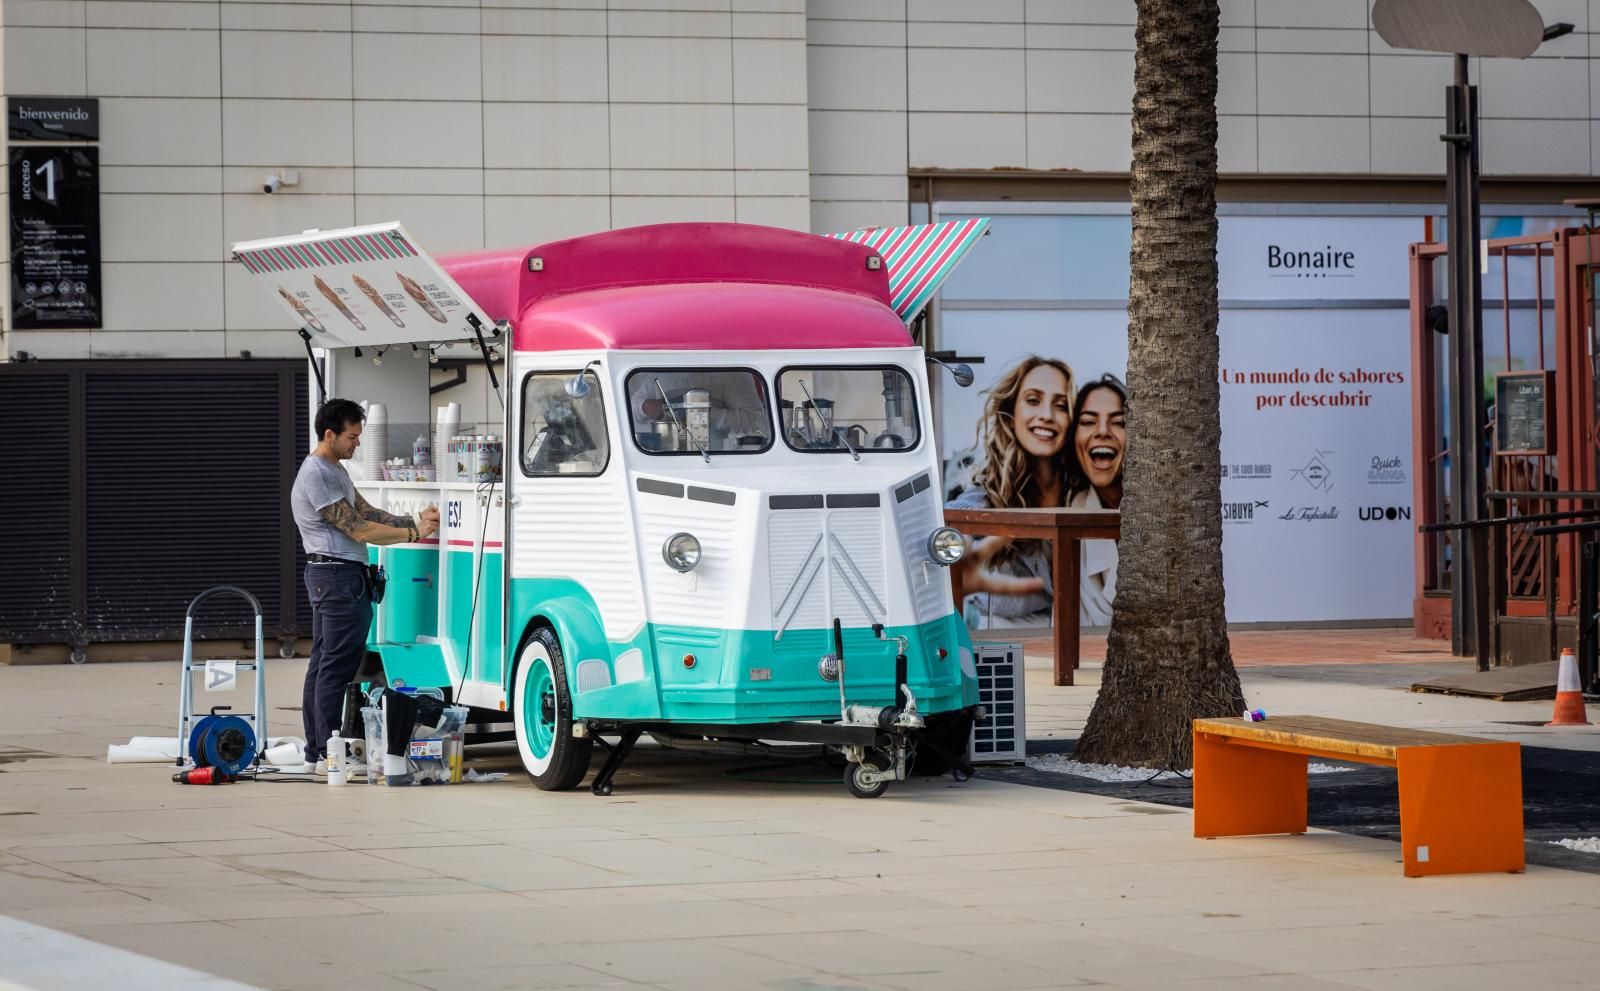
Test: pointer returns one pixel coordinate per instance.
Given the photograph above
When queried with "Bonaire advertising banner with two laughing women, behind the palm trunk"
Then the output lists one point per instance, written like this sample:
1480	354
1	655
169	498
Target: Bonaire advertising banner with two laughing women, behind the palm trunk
1316	406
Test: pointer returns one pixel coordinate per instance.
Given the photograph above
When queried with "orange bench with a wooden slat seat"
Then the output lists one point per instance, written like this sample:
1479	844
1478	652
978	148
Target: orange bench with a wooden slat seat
1460	796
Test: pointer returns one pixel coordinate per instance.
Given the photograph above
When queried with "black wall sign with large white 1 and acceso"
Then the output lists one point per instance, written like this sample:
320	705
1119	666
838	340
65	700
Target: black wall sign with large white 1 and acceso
55	238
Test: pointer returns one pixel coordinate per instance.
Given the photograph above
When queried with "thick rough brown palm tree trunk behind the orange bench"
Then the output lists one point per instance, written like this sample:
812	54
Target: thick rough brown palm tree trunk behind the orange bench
1167	657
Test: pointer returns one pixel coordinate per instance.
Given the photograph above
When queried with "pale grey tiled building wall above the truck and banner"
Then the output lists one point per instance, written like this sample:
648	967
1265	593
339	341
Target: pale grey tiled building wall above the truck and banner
495	122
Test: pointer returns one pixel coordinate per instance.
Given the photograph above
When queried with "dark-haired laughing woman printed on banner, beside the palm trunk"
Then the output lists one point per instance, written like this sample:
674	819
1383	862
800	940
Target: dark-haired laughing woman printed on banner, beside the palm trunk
1100	439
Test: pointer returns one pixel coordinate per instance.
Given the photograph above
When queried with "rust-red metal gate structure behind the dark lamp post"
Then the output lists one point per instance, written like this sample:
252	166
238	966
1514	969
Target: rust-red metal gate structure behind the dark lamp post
1538	324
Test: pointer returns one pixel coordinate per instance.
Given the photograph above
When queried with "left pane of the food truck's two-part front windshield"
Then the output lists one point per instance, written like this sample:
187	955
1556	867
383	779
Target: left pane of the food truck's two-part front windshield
694	411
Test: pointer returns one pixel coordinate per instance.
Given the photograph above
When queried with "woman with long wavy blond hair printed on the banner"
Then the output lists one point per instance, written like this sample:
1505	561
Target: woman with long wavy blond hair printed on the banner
1028	465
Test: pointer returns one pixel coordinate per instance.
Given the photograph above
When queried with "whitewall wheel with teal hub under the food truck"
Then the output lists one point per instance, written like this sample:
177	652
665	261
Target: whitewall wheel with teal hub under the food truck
554	758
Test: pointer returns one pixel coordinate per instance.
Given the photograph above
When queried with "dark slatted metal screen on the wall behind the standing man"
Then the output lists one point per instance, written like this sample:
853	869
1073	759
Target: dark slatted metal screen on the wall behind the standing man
154	481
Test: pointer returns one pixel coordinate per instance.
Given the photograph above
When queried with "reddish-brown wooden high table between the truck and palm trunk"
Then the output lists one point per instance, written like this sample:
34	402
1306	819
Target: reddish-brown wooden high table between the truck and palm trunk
1063	529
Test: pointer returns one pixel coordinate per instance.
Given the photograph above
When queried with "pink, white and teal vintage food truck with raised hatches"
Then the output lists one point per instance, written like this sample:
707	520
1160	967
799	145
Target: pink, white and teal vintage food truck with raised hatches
690	489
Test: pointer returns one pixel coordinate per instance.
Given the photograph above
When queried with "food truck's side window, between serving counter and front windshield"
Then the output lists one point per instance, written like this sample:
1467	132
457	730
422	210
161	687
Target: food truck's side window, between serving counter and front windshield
562	435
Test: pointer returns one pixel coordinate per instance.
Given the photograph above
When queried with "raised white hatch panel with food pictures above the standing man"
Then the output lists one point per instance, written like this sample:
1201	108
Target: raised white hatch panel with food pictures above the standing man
361	287
